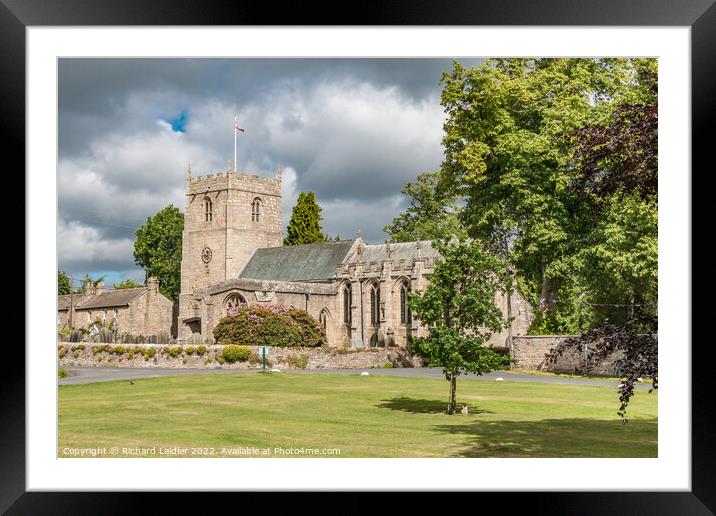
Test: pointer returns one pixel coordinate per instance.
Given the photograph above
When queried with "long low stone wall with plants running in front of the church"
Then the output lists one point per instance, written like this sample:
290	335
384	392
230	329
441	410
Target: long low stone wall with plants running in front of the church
80	354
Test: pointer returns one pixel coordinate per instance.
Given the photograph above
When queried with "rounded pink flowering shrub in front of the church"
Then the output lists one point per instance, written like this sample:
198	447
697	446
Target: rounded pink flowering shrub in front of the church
270	325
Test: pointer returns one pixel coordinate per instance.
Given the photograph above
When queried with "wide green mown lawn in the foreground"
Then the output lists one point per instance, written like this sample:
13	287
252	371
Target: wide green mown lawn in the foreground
362	416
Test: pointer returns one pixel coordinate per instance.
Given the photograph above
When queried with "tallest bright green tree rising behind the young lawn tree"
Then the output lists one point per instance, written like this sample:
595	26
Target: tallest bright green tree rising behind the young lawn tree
511	133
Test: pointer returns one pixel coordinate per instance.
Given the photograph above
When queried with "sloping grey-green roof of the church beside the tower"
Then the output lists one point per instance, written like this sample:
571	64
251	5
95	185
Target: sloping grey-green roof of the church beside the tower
308	262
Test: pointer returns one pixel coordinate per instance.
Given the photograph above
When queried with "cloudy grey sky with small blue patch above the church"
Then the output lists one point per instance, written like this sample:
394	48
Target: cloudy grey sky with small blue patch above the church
351	130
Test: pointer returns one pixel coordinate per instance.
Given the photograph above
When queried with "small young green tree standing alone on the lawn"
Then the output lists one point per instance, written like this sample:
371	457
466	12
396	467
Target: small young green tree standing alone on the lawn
459	308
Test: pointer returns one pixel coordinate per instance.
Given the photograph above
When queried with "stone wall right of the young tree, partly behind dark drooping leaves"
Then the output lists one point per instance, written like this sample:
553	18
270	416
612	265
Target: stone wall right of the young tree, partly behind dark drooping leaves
529	352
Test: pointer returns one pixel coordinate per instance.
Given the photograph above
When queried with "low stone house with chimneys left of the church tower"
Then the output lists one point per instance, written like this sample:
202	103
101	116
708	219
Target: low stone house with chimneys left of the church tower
137	311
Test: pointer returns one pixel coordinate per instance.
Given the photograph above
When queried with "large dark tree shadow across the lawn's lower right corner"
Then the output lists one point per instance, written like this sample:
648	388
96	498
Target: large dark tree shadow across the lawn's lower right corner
557	438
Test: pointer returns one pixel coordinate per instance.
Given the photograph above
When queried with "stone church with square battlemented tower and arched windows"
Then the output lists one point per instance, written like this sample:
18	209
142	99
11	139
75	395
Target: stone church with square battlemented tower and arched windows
233	253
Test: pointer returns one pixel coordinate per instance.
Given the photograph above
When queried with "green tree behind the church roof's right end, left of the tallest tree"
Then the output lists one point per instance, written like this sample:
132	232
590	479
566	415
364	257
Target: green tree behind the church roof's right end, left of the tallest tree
429	215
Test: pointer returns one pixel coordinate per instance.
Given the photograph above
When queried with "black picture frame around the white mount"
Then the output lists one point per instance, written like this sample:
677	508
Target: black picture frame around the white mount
699	15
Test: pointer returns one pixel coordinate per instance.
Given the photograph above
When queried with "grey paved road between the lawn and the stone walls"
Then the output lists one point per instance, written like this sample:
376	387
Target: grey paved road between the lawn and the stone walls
103	374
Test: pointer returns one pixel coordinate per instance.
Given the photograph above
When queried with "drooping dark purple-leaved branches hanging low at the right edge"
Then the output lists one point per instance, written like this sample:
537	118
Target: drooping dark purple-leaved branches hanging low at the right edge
639	355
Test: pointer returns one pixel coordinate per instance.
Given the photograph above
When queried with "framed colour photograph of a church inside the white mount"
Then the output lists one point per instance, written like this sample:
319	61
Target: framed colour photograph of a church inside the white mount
358	257
